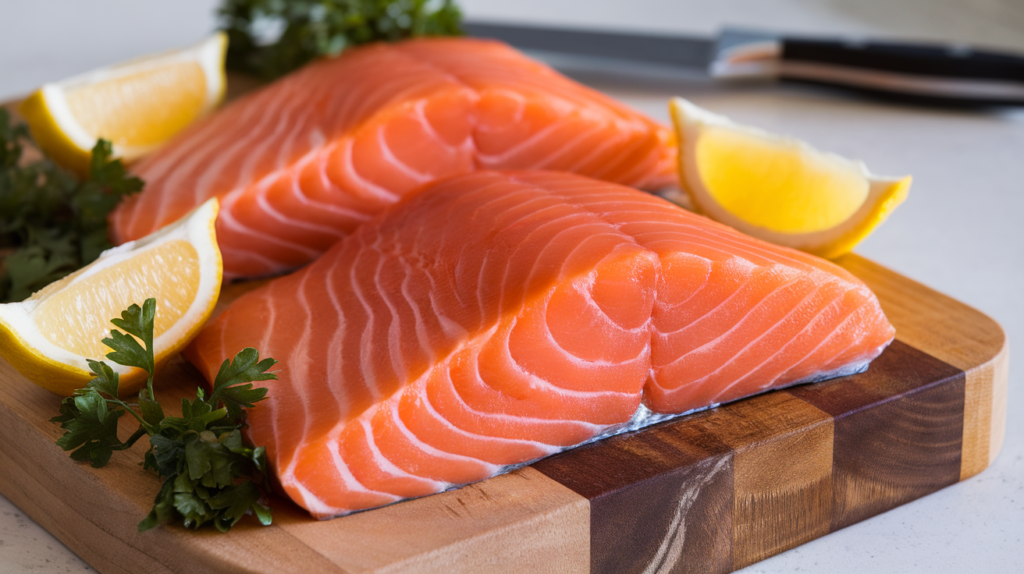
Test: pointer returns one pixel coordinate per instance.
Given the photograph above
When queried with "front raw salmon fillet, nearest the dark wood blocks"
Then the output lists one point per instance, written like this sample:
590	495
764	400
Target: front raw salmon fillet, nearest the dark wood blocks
497	318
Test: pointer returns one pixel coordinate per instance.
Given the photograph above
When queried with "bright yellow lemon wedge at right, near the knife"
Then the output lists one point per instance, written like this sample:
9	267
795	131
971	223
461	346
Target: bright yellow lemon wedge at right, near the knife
778	189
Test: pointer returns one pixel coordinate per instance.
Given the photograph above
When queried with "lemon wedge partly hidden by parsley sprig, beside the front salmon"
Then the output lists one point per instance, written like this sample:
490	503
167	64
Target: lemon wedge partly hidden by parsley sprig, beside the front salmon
50	336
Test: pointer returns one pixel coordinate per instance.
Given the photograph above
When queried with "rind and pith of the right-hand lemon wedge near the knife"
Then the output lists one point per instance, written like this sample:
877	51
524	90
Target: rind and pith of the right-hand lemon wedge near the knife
885	194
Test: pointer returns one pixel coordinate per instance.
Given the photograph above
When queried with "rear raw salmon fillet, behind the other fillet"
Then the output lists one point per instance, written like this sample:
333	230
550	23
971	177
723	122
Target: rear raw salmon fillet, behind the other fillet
302	163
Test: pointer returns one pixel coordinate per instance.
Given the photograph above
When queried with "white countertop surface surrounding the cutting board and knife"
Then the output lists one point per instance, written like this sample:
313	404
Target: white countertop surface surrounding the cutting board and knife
960	233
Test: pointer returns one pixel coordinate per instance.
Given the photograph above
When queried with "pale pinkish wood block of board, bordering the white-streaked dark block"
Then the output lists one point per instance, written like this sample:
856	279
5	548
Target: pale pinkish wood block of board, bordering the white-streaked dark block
521	518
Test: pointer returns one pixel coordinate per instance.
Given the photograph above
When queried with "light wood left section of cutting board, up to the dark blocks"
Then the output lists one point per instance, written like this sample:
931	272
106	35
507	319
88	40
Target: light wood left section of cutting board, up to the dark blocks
483	527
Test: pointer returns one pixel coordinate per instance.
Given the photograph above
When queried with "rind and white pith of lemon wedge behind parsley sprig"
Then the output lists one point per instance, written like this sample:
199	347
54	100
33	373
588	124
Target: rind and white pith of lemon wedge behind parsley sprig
61	371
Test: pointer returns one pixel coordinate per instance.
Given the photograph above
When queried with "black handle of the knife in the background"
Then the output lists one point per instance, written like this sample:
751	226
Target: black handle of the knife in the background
942	73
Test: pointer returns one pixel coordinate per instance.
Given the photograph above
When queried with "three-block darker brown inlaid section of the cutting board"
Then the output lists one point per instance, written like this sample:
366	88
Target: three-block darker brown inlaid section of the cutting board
726	489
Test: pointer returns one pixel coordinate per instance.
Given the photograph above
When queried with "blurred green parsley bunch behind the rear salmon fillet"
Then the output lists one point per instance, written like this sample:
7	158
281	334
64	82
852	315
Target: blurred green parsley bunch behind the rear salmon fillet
271	38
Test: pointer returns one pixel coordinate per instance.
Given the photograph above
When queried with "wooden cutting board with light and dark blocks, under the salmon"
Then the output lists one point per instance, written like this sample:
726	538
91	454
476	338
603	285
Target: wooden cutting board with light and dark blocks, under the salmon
710	493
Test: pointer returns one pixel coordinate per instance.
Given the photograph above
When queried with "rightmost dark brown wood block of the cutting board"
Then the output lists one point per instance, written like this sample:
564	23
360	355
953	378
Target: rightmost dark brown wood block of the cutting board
900	432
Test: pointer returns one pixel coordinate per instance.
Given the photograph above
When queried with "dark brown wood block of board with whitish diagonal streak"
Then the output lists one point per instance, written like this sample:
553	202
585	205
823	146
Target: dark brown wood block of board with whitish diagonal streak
661	501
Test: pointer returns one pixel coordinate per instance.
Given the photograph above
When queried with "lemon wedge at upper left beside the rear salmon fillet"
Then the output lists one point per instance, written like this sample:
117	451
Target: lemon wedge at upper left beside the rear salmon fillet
137	106
